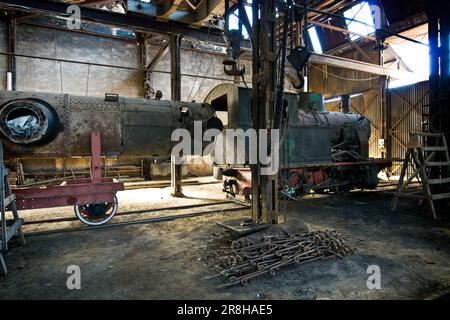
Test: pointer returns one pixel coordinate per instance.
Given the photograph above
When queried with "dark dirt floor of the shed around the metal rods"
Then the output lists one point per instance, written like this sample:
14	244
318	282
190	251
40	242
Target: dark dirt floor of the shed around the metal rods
162	260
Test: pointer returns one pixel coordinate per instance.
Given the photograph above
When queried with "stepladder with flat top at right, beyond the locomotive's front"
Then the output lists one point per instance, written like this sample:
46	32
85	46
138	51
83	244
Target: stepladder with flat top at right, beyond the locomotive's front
431	167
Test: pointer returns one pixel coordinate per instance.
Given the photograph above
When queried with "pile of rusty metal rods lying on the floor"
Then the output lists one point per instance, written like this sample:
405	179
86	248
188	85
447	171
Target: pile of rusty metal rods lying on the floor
250	258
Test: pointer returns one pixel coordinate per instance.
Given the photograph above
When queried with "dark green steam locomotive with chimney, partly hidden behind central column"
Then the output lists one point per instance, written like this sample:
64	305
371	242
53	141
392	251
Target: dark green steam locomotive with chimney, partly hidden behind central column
320	151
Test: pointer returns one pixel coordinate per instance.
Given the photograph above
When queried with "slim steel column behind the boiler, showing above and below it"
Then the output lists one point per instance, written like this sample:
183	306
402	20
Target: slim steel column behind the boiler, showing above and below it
175	83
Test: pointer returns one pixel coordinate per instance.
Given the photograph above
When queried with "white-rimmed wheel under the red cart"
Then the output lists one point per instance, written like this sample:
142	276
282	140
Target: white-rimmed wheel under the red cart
95	214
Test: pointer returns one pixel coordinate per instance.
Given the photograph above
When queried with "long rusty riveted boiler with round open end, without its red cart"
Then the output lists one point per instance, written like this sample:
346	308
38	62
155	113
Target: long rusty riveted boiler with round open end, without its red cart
57	125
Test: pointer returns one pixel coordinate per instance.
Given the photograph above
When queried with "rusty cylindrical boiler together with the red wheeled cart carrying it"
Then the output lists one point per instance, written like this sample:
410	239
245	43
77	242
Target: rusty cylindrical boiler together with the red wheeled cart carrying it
48	125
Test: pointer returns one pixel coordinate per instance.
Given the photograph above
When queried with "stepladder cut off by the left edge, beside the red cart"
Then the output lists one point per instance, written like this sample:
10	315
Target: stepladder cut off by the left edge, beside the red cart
8	228
